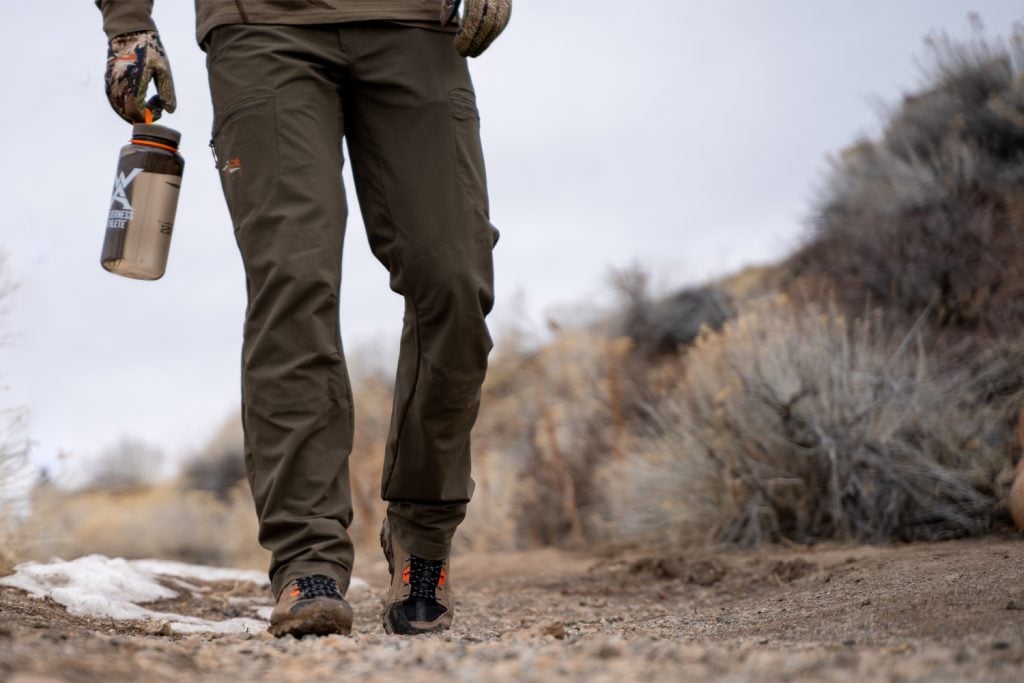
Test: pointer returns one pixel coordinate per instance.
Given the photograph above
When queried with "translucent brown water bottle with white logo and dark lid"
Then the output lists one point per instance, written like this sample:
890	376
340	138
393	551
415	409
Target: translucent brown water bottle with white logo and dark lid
144	203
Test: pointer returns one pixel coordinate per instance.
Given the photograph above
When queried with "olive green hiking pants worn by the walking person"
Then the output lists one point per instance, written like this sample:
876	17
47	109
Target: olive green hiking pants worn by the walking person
402	97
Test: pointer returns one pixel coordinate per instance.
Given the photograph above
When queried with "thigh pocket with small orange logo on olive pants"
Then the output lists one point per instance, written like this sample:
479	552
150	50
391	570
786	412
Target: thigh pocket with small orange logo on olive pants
245	144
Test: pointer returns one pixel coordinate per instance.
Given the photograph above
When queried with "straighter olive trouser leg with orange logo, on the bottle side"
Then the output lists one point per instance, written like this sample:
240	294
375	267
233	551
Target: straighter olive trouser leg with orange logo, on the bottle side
278	130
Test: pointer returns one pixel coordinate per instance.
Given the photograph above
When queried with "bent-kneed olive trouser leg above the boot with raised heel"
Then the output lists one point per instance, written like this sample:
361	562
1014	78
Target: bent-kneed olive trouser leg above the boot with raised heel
413	135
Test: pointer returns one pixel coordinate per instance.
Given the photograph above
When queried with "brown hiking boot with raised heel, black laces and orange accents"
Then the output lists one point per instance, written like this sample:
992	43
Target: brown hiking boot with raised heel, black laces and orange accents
419	600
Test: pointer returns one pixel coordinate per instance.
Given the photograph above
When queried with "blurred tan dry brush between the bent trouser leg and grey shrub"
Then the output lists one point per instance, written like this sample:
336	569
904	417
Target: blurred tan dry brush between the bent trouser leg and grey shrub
549	419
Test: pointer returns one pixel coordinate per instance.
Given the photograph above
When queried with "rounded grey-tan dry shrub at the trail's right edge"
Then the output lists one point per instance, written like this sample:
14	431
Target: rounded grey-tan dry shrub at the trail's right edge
795	424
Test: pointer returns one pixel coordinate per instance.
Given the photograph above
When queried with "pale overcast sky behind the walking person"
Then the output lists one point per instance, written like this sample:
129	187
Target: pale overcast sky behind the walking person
686	136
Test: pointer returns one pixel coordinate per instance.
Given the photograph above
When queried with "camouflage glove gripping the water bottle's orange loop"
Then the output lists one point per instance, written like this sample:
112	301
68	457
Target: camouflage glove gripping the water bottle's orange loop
133	62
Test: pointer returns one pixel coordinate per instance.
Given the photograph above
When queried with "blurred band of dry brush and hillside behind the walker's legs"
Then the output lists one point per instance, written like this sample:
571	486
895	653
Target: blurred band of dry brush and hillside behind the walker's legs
867	389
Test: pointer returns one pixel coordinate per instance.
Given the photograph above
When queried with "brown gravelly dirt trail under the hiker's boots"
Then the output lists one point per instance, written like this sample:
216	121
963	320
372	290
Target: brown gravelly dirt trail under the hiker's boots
929	612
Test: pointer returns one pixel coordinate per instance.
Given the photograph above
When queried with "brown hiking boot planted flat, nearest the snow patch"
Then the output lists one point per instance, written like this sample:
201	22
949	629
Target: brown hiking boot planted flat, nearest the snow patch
311	606
